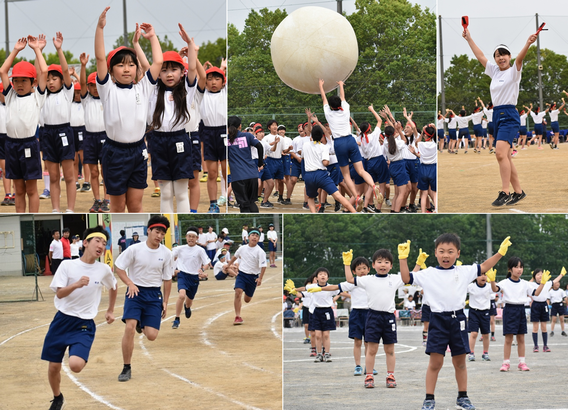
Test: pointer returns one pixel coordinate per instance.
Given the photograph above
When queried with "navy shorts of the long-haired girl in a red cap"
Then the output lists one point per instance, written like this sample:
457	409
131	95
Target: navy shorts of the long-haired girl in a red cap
171	155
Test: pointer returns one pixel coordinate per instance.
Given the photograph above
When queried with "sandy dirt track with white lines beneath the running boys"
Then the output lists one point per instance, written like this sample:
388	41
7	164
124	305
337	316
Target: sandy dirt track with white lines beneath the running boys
207	363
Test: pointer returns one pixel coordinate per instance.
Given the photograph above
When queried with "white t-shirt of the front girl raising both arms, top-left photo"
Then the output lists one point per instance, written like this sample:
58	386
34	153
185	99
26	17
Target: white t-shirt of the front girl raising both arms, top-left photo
126	108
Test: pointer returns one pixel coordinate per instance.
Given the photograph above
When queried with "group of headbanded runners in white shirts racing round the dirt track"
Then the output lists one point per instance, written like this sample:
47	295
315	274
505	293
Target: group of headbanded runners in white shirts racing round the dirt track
78	285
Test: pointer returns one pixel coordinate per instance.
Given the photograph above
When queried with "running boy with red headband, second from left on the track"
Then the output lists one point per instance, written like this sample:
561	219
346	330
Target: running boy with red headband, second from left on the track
149	265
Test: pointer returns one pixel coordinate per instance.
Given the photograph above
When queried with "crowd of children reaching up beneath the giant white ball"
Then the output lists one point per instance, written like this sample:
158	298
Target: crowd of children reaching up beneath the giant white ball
333	161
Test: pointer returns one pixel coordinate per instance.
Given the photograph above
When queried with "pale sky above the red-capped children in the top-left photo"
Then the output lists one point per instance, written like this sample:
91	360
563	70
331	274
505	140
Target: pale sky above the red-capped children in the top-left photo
77	21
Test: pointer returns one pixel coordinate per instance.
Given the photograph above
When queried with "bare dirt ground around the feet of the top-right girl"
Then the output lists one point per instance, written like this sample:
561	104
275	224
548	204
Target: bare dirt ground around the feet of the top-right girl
469	183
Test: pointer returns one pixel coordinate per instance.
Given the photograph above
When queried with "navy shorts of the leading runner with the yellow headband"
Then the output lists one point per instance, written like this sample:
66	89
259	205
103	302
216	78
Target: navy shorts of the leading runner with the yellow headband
68	331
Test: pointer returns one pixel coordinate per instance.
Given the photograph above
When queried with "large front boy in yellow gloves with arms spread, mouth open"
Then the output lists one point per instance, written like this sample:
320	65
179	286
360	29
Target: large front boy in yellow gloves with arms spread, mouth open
446	286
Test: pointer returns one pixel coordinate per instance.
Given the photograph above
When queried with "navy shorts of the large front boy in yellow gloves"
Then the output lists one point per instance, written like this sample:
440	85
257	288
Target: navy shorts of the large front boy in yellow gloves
447	328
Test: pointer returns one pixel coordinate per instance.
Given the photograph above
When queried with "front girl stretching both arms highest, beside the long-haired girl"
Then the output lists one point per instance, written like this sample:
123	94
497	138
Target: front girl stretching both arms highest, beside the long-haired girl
124	153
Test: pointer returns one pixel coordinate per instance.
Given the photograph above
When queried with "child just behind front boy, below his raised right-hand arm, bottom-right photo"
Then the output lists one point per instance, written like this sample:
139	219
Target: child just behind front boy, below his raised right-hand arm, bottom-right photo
479	316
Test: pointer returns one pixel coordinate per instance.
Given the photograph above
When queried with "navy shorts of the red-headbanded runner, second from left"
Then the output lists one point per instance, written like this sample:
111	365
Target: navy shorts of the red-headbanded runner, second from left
146	307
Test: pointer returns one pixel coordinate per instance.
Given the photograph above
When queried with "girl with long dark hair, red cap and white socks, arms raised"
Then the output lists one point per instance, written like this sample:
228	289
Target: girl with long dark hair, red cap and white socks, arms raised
168	114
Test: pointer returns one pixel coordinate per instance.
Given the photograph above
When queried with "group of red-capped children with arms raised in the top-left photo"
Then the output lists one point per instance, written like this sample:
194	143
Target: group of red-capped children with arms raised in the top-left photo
106	118
